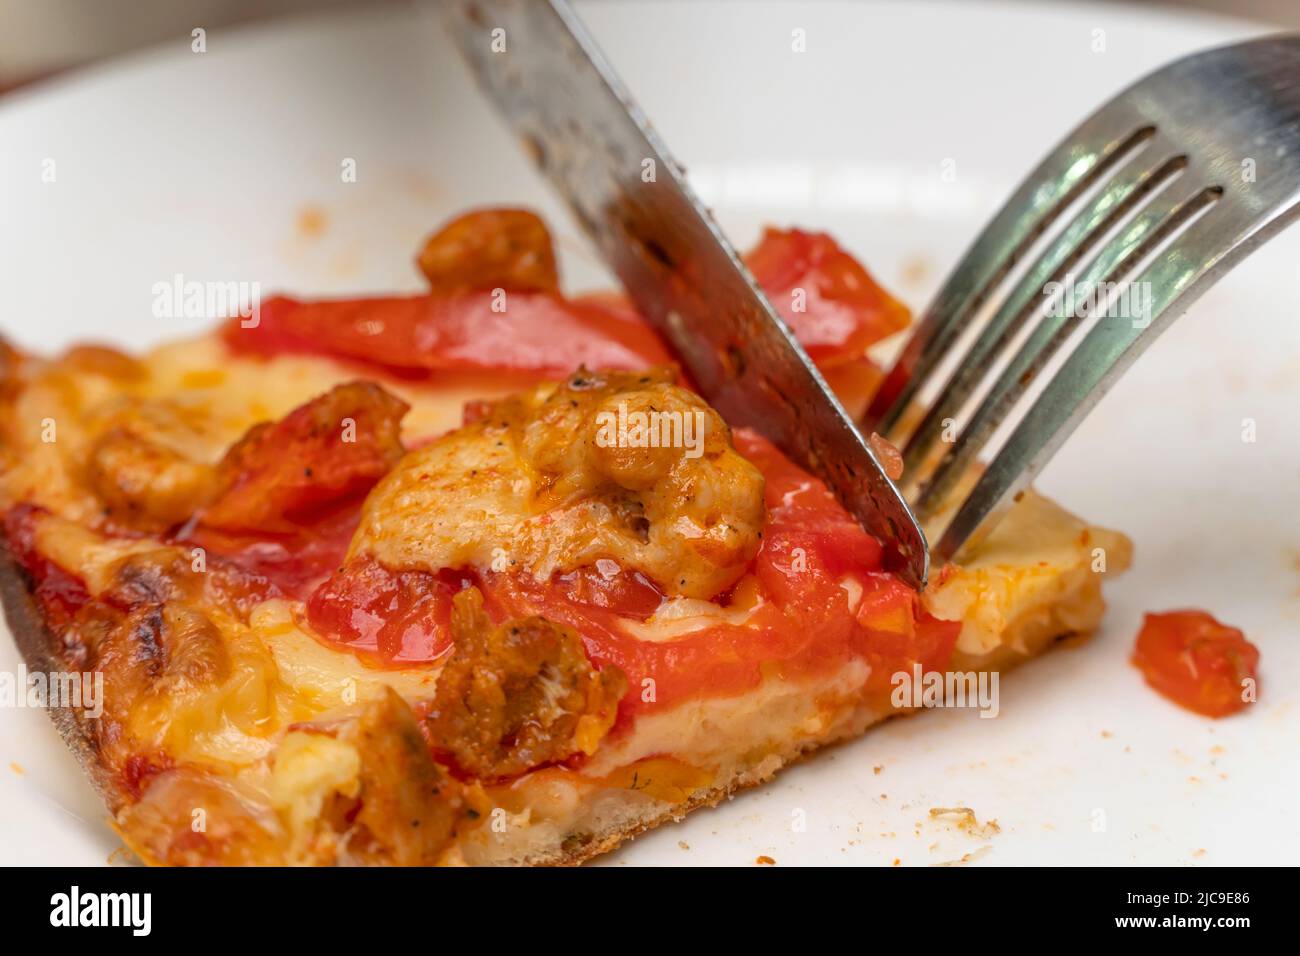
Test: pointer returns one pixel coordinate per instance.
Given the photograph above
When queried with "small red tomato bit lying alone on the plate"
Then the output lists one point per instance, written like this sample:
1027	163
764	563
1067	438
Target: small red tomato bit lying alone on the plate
1198	663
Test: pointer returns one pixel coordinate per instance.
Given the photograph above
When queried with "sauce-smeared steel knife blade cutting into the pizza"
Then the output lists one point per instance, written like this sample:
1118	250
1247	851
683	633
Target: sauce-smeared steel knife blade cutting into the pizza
544	72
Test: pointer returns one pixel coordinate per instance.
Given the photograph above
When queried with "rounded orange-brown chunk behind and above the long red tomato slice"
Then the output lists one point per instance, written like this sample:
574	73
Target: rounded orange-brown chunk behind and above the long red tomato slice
491	249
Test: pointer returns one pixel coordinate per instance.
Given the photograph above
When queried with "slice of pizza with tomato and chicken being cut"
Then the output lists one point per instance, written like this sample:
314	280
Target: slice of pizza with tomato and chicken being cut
471	577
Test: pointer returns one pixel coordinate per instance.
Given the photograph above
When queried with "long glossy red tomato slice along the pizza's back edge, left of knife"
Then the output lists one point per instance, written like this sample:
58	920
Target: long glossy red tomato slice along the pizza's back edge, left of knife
421	335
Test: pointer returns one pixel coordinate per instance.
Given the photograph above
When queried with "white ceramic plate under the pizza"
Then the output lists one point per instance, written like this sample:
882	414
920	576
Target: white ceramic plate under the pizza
202	165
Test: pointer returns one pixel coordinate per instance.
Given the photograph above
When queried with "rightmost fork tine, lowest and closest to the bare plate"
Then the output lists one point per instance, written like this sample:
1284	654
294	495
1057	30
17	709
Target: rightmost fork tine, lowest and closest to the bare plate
1178	276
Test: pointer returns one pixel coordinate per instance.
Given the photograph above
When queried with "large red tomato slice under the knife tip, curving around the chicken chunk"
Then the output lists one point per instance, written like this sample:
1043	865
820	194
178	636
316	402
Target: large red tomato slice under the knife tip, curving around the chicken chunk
792	615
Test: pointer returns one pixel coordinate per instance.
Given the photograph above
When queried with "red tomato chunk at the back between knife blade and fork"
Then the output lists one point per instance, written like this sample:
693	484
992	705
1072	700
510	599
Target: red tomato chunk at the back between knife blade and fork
831	304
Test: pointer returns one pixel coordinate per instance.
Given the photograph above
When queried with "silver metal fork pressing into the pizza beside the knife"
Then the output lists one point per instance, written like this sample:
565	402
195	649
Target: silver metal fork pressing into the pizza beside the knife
1163	191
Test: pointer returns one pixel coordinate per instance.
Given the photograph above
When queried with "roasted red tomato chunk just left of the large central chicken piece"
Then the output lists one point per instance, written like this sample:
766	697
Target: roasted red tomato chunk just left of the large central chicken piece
332	449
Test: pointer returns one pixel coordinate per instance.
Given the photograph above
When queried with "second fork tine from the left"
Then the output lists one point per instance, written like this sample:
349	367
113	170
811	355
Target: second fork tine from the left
1130	187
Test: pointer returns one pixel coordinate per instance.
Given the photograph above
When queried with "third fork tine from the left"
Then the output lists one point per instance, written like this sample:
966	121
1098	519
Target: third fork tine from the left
1156	223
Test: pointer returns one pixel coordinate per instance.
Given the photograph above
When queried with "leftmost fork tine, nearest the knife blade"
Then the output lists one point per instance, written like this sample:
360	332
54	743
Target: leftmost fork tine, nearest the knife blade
1078	162
